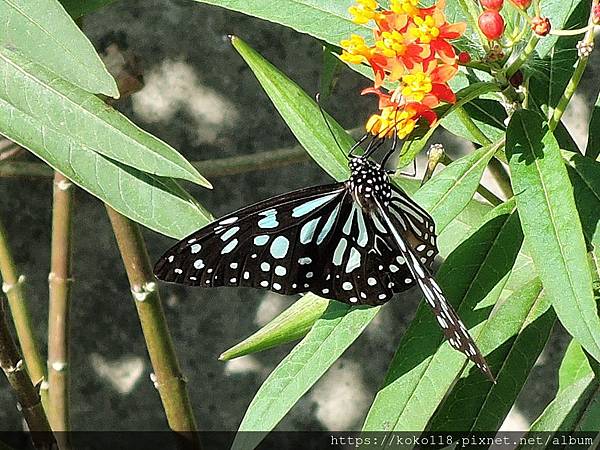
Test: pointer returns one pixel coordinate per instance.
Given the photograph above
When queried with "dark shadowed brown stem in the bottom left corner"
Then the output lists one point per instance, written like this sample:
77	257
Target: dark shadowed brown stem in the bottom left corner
30	403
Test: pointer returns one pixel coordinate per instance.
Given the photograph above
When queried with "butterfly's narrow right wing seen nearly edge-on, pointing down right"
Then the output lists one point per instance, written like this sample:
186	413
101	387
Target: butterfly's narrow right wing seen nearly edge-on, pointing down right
452	326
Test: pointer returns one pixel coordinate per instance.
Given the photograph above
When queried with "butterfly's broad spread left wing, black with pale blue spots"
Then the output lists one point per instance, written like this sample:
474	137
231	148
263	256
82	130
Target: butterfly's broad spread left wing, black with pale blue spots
316	239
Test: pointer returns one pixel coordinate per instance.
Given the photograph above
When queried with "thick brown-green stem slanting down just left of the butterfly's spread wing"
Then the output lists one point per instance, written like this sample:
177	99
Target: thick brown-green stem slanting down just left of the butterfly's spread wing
168	379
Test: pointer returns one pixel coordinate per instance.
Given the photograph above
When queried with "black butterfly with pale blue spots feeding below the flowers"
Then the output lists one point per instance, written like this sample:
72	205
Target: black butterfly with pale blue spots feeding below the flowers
359	242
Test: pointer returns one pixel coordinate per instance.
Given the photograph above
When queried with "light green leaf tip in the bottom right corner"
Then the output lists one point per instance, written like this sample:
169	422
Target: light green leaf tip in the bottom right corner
568	411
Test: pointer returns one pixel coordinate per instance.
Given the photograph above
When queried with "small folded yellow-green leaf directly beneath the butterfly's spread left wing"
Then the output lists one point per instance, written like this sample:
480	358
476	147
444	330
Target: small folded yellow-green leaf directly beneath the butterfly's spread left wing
288	326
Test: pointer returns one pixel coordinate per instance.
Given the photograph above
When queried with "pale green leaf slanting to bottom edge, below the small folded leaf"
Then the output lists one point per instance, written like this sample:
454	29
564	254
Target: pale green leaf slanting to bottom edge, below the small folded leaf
301	368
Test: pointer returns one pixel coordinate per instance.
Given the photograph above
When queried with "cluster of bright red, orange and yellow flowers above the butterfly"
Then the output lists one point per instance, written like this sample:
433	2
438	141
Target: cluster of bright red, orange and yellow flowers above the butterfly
411	51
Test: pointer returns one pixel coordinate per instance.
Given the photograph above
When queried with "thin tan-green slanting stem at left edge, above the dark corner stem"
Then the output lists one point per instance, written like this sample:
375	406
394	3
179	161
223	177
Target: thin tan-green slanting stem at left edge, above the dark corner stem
12	286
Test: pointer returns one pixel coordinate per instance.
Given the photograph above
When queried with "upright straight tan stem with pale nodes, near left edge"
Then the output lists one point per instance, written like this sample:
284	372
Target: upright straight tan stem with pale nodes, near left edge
59	282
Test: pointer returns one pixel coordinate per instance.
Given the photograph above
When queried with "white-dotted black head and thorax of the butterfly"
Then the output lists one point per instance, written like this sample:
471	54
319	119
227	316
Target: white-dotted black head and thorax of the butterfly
368	181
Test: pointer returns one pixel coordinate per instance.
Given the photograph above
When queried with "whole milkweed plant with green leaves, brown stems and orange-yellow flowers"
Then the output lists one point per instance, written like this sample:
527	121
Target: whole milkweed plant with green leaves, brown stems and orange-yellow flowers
514	262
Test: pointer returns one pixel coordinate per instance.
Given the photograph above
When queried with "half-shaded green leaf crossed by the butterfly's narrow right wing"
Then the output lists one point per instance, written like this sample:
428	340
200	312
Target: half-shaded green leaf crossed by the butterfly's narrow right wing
422	370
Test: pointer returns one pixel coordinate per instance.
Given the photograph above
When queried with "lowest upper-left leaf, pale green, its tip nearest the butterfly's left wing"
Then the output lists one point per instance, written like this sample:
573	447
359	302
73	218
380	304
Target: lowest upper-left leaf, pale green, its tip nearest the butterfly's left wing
156	202
